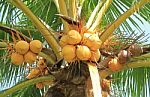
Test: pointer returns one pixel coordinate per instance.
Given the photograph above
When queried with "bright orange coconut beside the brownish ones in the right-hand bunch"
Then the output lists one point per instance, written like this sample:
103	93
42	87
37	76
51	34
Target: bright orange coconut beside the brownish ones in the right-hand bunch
114	64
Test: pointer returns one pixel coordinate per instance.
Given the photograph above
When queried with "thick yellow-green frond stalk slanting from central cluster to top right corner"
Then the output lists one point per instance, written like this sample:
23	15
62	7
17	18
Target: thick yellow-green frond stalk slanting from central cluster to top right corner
122	18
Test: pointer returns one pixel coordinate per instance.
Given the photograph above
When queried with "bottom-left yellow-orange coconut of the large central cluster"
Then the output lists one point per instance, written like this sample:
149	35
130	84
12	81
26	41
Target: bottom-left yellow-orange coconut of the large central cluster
69	53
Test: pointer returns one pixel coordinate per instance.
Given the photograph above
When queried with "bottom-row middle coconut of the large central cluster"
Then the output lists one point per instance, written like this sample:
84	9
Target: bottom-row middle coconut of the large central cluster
83	52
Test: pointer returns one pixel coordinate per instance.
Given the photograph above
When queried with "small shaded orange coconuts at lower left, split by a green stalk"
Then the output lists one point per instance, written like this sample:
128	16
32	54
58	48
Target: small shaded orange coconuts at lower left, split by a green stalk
39	70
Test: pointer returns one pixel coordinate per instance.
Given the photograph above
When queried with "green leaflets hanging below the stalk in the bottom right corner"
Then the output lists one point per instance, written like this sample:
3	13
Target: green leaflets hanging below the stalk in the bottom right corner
132	82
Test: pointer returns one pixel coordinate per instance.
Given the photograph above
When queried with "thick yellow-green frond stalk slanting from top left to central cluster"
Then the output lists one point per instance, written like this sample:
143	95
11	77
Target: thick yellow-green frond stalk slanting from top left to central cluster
39	25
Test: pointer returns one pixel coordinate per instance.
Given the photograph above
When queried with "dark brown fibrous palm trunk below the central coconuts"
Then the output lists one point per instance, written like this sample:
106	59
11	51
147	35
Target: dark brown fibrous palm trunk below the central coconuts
71	82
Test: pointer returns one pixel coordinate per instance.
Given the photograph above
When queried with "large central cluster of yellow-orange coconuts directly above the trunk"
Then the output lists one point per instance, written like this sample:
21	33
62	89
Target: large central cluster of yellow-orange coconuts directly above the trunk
80	46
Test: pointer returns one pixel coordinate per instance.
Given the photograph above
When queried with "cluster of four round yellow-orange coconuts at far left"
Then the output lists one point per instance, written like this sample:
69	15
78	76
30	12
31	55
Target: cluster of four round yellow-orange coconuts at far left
26	52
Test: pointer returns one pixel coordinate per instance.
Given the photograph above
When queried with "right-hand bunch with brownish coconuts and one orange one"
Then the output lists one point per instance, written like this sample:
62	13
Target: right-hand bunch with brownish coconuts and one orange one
116	63
